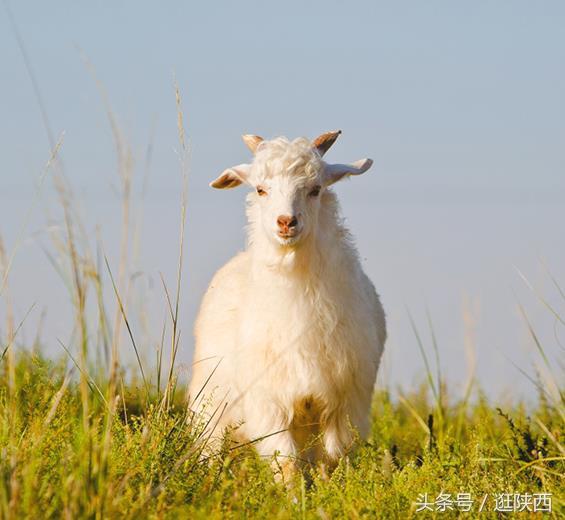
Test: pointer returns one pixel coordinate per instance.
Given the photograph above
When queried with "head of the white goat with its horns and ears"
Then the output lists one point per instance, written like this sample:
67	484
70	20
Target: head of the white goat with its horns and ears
289	178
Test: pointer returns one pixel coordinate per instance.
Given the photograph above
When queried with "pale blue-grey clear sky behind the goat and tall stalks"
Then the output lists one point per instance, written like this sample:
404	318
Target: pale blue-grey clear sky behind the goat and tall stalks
460	105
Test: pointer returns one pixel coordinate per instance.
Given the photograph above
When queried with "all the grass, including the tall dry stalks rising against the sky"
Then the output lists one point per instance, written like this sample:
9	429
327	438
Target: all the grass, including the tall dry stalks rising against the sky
83	436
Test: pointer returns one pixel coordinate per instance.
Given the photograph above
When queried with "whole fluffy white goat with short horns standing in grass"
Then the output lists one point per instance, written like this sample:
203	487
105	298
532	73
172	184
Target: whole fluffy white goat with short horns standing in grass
290	332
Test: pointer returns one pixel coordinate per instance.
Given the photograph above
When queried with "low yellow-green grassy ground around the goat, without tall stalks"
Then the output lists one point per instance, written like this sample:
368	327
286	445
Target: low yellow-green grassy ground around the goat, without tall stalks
73	452
